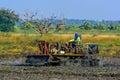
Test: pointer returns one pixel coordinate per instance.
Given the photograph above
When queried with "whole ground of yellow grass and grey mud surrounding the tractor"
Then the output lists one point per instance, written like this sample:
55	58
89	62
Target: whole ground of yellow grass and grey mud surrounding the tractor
23	44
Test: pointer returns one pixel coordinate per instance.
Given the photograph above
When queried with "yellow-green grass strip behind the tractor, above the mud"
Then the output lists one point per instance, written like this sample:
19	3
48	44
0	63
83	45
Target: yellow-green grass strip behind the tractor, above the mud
11	43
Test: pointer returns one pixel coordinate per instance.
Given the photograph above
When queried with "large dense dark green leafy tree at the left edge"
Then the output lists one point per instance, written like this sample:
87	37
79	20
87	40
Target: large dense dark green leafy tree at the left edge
7	20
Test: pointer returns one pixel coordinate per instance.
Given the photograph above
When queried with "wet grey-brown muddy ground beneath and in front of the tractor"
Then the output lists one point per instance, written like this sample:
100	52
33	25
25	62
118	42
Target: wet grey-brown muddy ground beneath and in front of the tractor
108	70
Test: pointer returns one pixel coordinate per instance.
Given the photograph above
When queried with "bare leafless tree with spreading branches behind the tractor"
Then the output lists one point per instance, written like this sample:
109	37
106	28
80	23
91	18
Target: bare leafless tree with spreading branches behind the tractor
42	26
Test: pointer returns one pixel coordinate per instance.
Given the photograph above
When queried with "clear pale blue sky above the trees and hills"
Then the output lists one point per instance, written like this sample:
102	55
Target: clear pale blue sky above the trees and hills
71	9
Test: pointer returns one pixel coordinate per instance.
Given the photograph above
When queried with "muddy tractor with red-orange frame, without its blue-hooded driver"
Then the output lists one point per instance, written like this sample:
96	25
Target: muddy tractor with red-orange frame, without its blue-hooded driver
64	54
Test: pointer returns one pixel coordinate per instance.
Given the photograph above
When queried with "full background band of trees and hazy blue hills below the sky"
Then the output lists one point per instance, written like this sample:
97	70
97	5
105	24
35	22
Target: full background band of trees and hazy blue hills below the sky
11	22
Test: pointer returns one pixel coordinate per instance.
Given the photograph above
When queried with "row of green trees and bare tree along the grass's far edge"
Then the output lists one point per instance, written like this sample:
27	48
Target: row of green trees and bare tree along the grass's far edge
10	22
